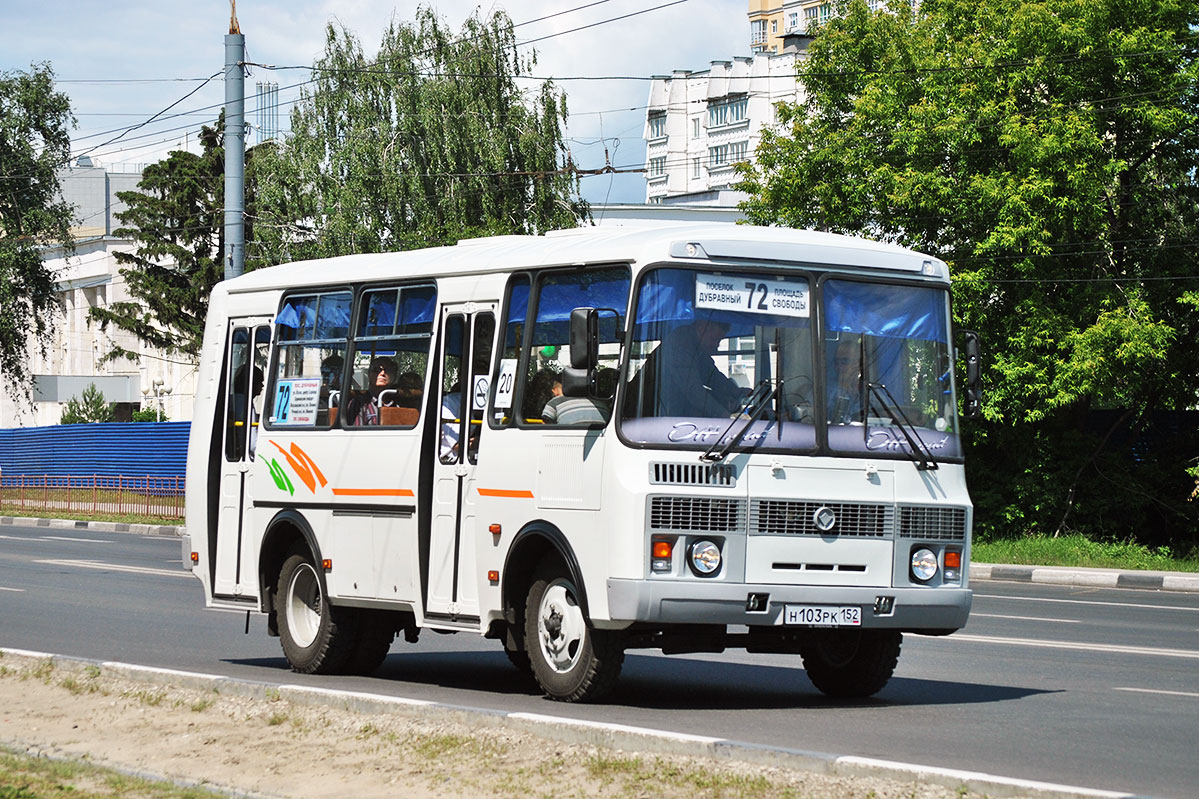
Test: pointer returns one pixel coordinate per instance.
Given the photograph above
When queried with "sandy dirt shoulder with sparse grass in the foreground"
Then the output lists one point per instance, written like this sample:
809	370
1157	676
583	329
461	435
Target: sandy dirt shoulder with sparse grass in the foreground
273	747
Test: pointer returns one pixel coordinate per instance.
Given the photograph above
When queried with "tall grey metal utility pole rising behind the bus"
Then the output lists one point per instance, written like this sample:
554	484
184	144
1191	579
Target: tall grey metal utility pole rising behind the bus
236	148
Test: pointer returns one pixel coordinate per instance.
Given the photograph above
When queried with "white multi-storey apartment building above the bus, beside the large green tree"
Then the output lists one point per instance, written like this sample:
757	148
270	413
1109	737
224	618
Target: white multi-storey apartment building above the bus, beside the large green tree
701	124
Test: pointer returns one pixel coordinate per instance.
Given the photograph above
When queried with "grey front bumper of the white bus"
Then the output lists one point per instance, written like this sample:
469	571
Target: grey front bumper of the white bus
939	610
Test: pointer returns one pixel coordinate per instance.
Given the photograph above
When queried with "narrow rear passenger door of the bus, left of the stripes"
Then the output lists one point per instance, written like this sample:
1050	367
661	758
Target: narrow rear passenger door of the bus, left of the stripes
248	346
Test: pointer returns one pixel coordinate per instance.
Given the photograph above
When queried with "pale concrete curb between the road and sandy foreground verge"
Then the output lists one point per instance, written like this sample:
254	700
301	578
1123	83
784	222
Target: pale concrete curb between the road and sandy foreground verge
574	731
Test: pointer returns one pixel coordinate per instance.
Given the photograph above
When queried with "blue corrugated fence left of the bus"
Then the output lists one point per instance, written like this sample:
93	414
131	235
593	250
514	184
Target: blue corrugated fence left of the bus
132	449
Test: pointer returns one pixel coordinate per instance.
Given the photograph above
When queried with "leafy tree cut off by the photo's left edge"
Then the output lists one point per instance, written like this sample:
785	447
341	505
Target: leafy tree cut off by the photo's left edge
34	145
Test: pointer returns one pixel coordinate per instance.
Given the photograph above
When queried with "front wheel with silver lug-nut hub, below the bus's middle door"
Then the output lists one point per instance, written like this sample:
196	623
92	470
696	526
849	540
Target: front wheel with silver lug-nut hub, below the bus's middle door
571	660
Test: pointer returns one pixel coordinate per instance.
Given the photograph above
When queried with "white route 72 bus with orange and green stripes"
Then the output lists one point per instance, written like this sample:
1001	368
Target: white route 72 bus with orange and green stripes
684	438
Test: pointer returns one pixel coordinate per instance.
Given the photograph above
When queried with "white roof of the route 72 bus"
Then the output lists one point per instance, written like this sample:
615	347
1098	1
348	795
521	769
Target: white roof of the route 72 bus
641	244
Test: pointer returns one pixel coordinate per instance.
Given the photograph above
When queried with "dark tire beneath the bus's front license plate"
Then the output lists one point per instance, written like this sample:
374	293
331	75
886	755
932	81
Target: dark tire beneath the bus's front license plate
851	664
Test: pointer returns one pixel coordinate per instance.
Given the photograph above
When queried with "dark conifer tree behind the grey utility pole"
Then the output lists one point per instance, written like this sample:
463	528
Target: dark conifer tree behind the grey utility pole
177	219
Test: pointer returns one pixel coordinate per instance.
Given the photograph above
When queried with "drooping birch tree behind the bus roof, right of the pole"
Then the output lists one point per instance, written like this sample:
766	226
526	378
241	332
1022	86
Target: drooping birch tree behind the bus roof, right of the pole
430	142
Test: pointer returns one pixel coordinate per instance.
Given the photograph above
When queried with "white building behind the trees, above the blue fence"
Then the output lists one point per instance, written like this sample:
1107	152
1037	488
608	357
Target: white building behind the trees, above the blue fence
91	279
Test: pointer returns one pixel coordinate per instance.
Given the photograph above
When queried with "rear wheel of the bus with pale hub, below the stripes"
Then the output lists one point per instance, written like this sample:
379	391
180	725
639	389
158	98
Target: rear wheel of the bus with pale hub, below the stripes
317	638
